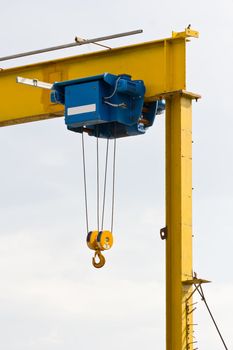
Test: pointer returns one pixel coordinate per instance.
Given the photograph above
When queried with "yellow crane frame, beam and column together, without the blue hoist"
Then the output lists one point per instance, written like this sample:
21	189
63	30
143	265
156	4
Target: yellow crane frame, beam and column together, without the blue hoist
161	64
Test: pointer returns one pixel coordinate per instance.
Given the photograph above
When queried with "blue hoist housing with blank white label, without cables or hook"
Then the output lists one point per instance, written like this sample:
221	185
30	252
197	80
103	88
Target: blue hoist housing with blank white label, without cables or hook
106	105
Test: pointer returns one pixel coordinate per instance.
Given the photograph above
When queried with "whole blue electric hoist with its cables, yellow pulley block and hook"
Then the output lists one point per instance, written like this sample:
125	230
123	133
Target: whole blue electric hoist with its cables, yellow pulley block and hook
105	106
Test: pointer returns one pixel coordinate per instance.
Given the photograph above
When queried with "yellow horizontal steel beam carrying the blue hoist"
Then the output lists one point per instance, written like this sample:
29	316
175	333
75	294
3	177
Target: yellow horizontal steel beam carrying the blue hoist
160	64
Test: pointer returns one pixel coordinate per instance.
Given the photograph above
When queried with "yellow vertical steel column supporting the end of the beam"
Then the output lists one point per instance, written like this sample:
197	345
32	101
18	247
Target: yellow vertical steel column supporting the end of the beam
178	221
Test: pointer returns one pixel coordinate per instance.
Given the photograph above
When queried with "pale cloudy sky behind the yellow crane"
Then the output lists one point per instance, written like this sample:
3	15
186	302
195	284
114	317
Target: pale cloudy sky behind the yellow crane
50	296
